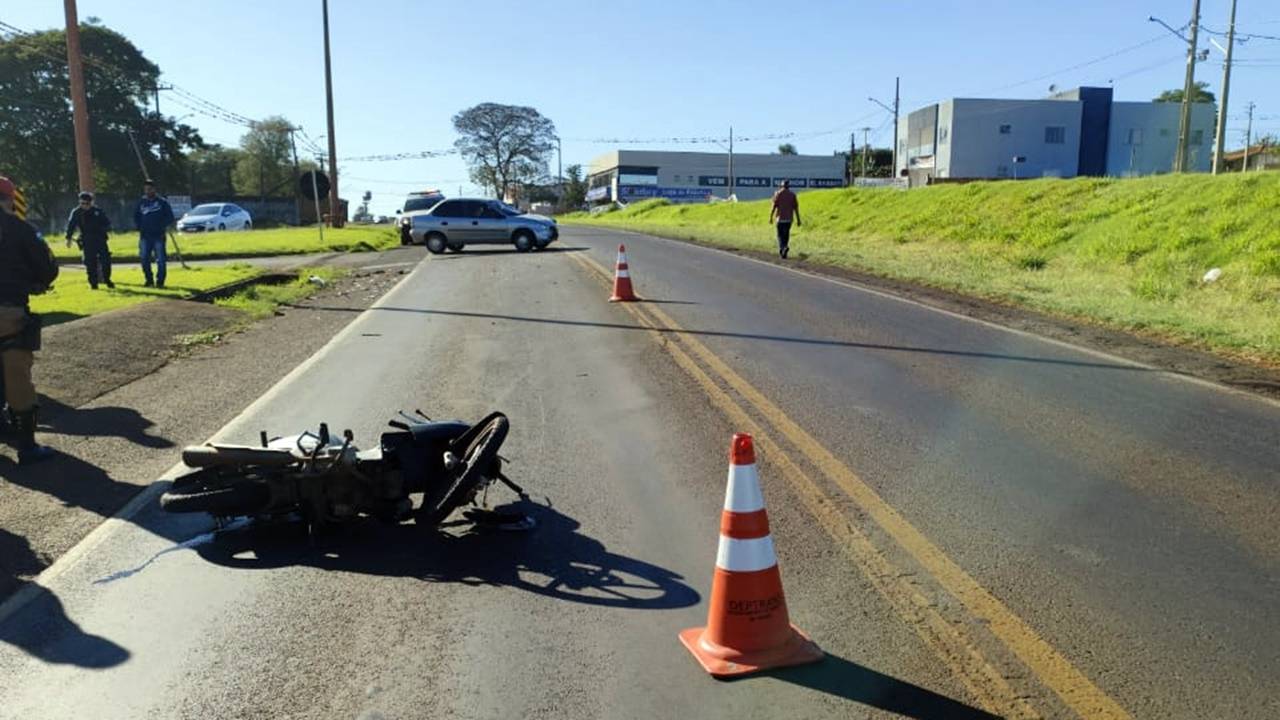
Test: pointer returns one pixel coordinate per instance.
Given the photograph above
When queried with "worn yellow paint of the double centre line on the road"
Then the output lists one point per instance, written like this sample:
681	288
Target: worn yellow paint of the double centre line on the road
1049	666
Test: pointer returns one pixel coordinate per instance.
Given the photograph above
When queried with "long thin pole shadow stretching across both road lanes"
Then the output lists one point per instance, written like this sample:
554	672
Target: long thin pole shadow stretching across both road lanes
772	339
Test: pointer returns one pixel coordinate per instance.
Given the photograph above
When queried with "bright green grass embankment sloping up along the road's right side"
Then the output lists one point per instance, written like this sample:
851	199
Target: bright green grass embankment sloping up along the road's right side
1123	253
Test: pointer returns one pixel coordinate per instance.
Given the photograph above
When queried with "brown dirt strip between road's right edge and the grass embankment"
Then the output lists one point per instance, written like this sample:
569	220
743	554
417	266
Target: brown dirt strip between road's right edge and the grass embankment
1158	353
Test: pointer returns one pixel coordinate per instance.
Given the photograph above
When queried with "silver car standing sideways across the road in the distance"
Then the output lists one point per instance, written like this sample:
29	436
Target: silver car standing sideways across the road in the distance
458	224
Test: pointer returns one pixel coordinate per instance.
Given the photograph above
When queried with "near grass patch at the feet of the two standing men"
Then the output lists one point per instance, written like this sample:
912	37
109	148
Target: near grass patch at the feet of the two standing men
72	298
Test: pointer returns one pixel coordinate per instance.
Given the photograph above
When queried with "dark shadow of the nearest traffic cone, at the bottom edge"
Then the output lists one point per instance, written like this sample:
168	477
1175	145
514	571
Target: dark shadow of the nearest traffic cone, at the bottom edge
843	678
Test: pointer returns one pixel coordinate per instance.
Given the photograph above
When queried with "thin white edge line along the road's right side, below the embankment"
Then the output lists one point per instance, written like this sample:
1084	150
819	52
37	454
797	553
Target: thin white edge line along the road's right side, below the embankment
853	285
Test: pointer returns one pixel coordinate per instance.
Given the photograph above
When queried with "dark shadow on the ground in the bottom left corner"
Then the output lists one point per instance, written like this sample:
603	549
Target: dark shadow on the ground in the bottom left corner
42	627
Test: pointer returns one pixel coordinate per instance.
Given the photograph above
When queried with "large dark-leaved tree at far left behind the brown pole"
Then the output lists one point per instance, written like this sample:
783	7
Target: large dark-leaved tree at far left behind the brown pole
38	147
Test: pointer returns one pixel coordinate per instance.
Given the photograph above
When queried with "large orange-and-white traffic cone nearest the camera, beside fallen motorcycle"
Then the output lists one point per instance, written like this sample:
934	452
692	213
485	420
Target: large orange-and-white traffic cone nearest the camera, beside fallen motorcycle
748	628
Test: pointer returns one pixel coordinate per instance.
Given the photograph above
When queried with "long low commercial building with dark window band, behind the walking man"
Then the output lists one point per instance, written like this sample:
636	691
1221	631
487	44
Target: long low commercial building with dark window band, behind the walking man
696	177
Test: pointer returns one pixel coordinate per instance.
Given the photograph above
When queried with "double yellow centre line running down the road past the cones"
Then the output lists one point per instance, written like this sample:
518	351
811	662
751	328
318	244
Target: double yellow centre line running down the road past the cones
949	640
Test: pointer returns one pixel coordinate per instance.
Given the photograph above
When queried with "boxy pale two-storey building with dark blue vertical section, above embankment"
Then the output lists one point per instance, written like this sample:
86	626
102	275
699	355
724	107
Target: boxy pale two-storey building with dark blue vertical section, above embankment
1078	133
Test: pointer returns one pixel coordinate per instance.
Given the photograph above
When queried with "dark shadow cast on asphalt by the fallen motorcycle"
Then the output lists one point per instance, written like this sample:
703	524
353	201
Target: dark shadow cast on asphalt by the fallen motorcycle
554	559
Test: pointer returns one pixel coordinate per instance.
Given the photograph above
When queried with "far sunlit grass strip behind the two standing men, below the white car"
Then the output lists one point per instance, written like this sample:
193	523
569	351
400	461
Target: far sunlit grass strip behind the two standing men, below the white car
254	244
